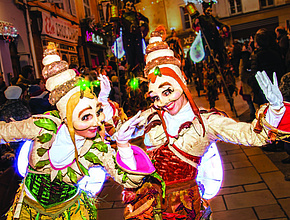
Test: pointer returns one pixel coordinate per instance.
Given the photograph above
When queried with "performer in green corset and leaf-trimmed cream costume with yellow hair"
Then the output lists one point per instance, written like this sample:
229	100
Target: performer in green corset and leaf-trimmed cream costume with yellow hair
66	145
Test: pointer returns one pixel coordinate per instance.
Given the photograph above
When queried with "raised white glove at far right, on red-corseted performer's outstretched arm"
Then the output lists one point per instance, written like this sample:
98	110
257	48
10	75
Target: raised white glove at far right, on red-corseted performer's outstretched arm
271	91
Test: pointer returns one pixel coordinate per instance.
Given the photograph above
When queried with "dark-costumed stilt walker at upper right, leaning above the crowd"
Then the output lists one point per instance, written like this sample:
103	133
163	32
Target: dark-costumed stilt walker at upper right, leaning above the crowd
209	26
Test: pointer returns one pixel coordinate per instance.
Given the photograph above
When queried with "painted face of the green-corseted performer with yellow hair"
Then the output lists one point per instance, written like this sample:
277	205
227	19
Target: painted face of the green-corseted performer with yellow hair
87	117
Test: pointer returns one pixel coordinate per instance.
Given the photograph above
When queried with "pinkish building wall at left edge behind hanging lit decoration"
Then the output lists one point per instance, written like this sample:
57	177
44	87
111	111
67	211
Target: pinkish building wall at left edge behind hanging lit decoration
14	44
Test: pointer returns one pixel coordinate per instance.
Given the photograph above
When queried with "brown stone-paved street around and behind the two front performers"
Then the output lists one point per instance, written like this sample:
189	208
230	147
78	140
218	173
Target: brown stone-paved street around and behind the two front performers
253	187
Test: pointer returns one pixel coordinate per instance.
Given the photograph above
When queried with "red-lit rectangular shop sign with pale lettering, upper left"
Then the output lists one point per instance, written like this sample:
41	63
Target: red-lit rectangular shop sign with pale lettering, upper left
59	28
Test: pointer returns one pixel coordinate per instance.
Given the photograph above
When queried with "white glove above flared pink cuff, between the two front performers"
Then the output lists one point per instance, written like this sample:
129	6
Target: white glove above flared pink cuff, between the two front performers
124	134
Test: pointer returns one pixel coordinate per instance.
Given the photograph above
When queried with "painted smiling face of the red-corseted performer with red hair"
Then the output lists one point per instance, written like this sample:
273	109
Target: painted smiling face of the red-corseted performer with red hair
167	94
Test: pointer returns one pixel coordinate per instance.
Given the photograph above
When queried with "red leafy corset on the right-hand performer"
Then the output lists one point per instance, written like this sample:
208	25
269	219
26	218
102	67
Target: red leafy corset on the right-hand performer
170	167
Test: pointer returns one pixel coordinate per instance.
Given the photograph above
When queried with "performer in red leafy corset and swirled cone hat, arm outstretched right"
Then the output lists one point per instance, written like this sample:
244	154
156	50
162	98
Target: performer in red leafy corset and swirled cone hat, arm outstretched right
178	134
